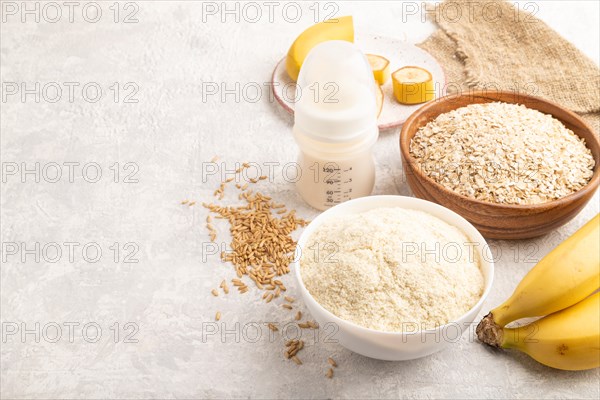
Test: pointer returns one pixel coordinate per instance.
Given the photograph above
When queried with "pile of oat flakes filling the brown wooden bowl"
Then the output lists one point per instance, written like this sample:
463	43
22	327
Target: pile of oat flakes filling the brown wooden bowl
503	153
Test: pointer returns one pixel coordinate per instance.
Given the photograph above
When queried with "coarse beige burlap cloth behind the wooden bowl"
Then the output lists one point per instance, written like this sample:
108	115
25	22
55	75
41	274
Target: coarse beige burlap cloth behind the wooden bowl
489	44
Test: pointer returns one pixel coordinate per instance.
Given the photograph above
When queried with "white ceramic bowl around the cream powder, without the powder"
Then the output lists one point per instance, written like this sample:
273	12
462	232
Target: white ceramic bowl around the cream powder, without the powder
395	345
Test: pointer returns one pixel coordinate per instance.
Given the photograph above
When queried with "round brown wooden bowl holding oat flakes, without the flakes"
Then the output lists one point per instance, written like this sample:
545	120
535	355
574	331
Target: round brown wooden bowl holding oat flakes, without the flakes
500	221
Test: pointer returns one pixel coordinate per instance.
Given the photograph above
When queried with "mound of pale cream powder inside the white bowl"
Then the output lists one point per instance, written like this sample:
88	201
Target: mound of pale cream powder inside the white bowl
392	269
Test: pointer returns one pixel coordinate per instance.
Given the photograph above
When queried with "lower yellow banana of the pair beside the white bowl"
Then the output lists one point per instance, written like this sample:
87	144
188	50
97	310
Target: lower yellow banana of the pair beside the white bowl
568	339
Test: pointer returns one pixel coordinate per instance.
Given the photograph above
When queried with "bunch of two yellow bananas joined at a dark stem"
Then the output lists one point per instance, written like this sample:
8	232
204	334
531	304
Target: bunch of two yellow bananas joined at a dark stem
562	287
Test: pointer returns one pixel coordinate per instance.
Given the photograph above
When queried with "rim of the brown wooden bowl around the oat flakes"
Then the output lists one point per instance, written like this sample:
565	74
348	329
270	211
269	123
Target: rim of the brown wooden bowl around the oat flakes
591	186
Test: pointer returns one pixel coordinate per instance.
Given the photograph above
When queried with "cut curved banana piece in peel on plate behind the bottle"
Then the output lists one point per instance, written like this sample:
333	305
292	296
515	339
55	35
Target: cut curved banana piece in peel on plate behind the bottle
341	28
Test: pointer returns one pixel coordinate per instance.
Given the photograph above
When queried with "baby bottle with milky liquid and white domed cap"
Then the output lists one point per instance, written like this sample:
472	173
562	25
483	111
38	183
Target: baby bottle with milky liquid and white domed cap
335	125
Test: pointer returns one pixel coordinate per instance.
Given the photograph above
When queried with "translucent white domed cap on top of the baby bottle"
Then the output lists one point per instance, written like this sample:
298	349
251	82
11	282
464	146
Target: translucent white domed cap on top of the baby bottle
335	94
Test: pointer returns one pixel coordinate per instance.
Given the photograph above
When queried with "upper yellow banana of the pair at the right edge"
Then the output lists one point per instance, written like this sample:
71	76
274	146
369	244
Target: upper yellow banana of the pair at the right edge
565	276
